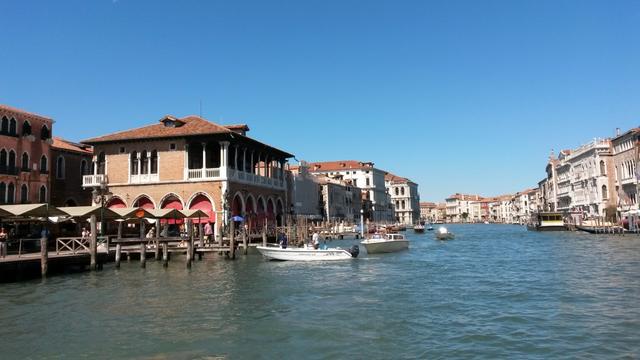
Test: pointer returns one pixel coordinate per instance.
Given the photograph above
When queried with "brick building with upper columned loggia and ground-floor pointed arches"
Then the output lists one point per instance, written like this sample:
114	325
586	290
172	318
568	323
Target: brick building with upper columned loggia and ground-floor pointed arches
192	163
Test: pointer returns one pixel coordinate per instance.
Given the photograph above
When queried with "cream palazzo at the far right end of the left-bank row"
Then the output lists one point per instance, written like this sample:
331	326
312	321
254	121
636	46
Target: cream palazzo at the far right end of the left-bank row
404	197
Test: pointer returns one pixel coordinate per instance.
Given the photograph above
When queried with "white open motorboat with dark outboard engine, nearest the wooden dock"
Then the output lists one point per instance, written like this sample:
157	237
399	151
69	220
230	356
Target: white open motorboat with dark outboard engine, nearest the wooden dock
307	253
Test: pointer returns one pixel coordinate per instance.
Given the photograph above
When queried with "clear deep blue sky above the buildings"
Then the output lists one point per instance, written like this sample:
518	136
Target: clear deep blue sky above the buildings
459	96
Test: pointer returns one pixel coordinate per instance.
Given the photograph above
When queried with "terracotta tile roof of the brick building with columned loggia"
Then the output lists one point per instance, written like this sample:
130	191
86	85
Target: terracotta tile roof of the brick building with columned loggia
193	125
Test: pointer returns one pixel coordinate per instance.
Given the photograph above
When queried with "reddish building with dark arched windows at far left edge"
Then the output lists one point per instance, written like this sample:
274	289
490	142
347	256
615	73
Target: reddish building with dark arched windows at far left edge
25	156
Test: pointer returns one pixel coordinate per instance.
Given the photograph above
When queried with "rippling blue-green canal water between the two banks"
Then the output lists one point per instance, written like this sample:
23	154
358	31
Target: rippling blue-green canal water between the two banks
496	291
